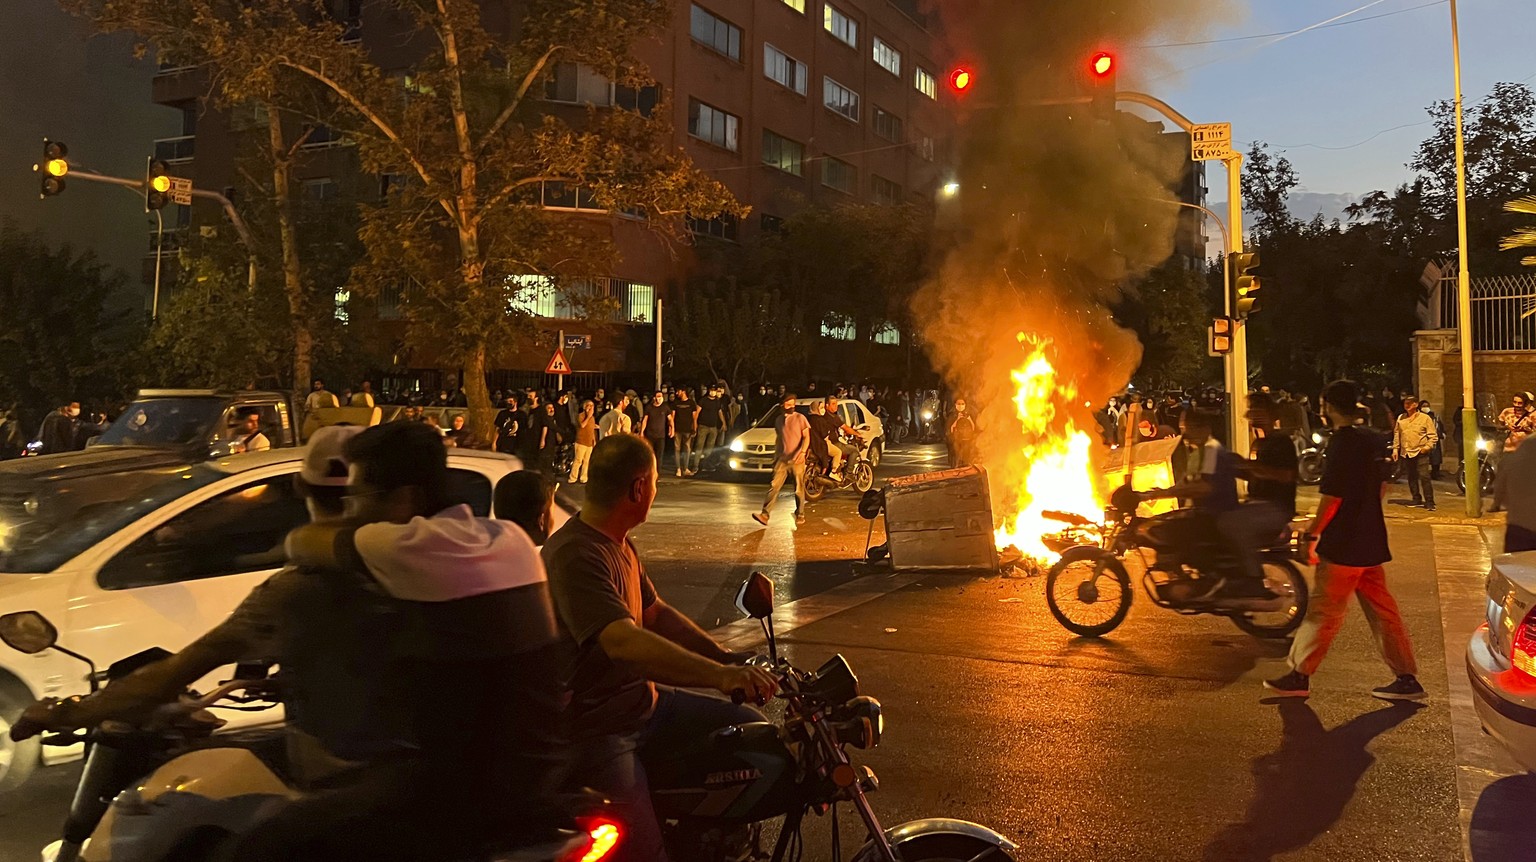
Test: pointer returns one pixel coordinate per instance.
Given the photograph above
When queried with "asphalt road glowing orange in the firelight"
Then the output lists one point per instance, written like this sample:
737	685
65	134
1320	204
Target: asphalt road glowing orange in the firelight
1153	744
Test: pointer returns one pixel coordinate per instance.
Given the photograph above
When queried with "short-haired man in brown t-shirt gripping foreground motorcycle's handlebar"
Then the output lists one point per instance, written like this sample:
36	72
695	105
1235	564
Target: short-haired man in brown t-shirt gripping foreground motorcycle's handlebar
629	652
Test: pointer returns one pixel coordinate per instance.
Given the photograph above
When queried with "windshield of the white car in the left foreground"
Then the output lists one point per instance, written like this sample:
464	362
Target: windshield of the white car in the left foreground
45	525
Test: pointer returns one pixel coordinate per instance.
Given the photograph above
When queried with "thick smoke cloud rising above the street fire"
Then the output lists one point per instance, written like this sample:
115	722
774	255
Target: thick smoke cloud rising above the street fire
1056	210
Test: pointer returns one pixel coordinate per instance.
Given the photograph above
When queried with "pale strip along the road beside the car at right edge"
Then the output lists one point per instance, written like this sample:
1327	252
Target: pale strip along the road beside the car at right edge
1462	569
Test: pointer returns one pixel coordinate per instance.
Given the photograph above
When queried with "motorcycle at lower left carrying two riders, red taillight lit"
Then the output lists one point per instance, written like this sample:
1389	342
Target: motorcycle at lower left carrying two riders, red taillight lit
162	791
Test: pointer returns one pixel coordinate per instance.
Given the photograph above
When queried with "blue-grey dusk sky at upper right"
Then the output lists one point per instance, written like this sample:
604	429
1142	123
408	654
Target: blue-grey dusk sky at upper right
1345	104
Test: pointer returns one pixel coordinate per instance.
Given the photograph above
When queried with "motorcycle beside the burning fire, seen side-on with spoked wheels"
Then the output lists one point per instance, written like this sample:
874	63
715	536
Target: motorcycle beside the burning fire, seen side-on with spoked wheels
1090	589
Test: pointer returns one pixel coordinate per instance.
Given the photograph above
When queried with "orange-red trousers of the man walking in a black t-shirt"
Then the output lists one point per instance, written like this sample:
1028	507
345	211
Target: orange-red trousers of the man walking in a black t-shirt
1336	585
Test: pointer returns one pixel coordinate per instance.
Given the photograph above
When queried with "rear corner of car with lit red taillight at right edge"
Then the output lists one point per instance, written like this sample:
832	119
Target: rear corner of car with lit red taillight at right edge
1501	658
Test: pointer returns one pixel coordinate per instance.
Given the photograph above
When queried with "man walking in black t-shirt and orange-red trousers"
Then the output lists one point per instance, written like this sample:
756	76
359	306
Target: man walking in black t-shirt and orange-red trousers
1351	537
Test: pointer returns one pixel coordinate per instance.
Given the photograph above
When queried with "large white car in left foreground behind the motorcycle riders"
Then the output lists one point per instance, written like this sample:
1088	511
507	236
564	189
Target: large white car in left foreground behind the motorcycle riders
127	549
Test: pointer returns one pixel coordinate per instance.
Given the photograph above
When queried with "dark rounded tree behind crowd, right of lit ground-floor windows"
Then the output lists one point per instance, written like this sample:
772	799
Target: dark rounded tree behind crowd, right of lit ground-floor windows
737	334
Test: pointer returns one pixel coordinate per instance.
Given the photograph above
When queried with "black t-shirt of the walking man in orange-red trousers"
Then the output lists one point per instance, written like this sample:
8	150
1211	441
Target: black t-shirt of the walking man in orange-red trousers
1354	472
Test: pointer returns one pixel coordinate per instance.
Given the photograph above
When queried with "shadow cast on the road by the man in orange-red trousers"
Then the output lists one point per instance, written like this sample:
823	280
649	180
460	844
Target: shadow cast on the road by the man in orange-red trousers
1303	787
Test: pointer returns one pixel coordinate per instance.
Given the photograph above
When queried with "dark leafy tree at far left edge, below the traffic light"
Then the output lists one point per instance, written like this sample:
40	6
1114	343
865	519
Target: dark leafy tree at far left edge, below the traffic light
61	339
